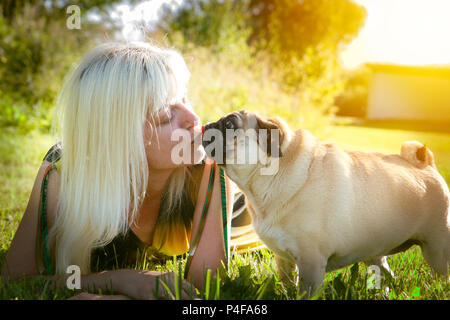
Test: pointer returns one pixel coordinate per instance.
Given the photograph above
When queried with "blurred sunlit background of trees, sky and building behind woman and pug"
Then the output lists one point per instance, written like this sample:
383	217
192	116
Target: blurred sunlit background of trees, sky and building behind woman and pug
366	74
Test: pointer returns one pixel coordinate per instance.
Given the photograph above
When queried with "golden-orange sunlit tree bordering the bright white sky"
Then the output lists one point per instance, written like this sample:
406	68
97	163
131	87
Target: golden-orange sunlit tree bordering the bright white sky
304	39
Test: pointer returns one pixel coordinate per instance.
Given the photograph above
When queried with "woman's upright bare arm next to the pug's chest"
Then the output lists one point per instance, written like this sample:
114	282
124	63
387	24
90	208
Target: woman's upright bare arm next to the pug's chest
210	251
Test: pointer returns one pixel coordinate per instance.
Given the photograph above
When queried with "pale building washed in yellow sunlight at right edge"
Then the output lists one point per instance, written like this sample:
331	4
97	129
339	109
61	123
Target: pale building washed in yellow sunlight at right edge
406	92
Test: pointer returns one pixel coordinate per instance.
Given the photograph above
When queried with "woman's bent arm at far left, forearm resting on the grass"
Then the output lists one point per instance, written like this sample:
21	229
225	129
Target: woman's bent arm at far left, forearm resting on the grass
21	263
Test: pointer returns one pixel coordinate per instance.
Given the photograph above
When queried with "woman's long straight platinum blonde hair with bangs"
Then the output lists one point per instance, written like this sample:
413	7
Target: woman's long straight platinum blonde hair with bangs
101	115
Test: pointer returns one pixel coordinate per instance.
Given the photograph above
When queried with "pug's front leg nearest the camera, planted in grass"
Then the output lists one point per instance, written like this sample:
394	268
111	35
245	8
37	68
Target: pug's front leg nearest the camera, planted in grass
311	274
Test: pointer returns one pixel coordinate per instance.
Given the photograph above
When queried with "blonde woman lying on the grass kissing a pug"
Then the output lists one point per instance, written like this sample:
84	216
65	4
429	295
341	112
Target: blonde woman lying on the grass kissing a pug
111	188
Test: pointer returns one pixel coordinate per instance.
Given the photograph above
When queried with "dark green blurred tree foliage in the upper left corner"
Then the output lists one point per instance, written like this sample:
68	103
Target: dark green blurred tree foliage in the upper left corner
36	51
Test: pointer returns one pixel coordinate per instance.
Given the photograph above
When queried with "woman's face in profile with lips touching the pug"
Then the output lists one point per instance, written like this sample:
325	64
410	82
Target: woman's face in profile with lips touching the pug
164	133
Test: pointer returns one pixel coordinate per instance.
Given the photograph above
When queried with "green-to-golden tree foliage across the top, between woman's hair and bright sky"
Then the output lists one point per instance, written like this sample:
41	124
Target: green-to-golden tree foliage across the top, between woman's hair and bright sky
297	41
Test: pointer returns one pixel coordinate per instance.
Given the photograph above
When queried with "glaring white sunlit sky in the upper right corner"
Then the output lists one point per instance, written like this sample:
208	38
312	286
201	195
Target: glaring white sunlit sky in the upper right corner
408	32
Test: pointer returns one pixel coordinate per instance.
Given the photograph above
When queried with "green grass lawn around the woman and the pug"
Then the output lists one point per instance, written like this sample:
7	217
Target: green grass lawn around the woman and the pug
251	275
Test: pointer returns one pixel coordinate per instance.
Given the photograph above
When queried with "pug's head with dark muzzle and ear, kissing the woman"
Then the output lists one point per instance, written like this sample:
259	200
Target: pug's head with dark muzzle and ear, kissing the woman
244	140
